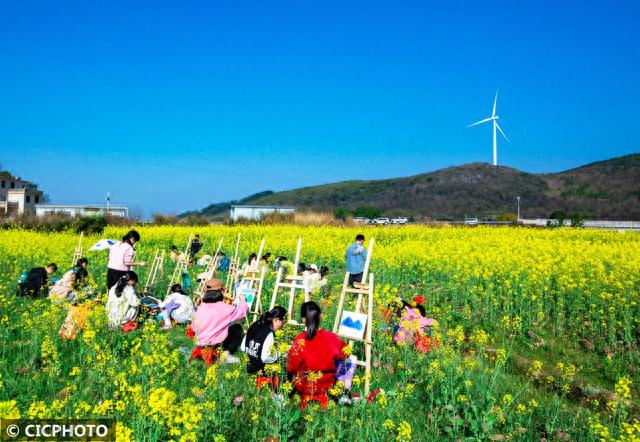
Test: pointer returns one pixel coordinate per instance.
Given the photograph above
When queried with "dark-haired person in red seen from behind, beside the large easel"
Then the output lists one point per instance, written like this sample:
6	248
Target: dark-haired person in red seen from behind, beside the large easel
313	356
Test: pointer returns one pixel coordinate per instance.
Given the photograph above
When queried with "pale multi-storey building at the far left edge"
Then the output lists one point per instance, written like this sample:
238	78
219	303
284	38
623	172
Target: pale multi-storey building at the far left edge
17	196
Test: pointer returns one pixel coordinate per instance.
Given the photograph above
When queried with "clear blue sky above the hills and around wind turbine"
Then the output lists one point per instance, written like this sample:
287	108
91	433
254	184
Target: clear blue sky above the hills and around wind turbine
173	105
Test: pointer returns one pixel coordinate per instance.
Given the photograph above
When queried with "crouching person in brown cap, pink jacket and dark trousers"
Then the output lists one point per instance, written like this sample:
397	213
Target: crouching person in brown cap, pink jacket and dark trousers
211	324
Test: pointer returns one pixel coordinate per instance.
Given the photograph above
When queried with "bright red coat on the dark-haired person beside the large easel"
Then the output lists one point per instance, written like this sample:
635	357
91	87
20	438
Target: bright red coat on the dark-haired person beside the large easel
315	355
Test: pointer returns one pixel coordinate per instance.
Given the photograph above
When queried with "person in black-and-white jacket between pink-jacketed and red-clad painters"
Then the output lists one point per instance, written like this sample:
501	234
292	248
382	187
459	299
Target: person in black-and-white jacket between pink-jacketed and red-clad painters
259	342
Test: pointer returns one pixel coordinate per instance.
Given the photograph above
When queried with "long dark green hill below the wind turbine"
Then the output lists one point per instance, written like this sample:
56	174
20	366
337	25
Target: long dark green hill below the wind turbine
605	190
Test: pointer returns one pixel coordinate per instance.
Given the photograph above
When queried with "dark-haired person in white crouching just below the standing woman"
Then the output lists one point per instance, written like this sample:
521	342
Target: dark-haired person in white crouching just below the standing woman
123	302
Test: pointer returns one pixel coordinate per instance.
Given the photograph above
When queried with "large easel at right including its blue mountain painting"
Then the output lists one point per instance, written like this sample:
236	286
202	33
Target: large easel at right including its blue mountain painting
356	325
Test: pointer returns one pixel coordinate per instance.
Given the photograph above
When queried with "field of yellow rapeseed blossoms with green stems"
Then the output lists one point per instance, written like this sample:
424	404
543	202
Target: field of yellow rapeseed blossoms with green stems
539	332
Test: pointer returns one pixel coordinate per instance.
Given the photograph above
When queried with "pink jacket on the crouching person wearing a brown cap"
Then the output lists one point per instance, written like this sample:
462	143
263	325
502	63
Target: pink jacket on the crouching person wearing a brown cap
211	321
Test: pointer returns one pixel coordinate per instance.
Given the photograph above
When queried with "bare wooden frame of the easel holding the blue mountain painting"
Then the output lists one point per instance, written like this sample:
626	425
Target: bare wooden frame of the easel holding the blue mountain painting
360	289
